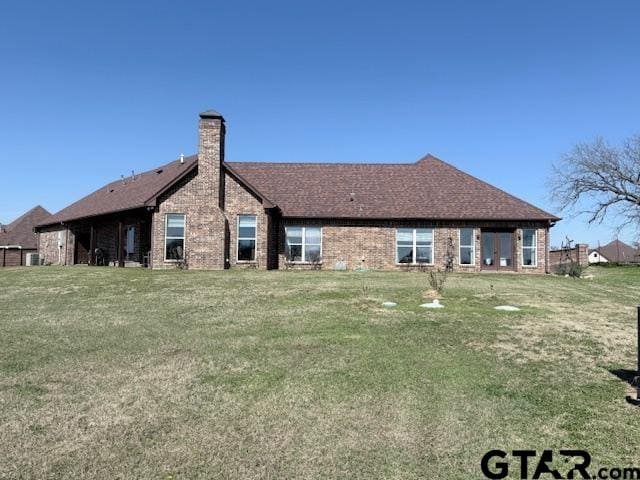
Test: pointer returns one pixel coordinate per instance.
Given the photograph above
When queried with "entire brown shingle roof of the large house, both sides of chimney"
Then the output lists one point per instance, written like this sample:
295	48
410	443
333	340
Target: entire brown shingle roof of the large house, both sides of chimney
429	189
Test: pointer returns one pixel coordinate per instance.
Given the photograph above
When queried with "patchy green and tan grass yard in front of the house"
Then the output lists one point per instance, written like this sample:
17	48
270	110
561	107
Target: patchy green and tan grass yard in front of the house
127	373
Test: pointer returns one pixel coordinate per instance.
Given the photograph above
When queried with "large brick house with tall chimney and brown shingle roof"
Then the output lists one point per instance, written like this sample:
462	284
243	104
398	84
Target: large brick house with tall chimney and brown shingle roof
215	214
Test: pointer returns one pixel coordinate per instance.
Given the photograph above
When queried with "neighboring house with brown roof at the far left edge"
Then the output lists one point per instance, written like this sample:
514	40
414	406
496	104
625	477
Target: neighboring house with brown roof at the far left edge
19	239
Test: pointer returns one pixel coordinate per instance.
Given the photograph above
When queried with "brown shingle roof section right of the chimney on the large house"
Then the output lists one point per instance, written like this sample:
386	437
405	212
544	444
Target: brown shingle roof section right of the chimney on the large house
429	188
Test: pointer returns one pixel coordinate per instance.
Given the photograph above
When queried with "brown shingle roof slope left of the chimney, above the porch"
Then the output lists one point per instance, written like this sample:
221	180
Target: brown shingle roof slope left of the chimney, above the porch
119	196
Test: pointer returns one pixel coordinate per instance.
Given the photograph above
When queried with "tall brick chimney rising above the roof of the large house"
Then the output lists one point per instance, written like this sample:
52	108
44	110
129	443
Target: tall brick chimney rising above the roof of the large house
211	132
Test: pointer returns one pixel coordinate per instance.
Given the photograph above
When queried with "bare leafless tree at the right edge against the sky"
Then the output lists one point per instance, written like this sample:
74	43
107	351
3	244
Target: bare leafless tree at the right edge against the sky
604	178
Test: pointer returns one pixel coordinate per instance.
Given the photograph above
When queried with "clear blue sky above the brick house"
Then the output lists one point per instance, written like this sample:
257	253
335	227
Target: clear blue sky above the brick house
92	90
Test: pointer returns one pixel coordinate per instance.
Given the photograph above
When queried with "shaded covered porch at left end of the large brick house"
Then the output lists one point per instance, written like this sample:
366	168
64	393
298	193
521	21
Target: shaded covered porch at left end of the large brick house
120	239
